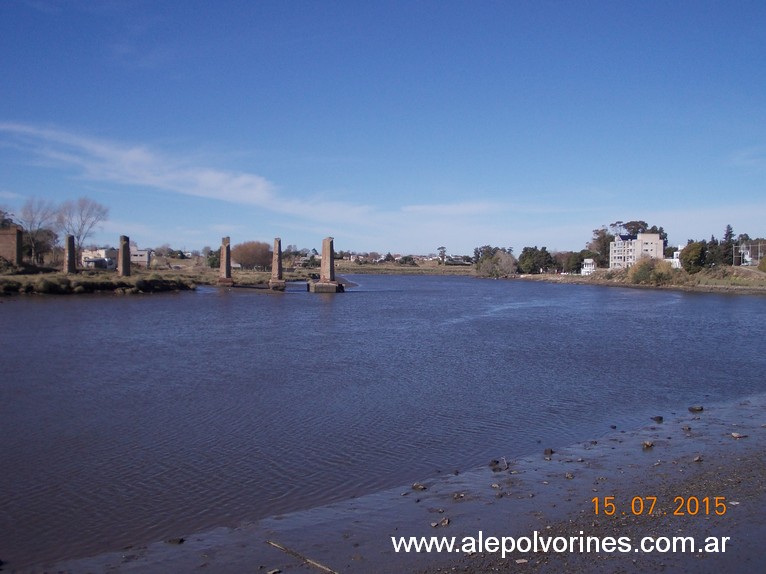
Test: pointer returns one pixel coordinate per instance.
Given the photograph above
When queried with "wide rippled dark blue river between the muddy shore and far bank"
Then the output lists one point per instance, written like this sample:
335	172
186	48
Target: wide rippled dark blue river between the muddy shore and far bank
128	420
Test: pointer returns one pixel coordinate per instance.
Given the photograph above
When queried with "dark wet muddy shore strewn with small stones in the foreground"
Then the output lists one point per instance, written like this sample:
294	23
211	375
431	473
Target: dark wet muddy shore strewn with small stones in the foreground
692	454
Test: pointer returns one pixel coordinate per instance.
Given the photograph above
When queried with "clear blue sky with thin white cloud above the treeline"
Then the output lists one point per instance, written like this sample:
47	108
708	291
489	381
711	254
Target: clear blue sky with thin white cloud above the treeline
392	126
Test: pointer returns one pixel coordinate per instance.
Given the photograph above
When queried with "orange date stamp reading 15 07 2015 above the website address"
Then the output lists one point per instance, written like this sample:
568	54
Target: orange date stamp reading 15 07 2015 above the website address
681	506
